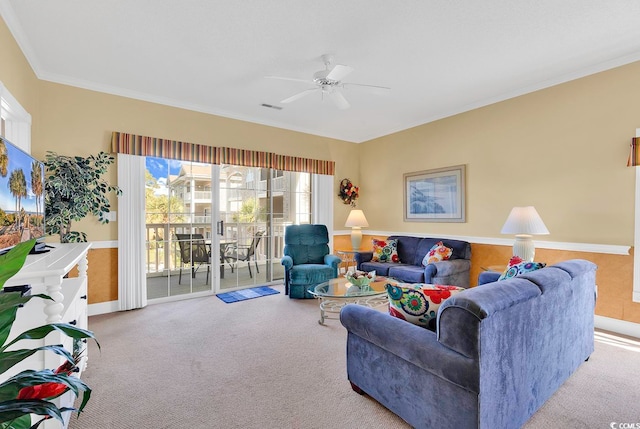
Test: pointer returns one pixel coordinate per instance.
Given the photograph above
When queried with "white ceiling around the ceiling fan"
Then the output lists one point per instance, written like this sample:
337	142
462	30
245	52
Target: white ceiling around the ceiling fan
440	57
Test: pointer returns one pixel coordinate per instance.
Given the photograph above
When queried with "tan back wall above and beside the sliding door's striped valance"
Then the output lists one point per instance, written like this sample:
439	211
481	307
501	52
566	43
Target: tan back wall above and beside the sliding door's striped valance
80	122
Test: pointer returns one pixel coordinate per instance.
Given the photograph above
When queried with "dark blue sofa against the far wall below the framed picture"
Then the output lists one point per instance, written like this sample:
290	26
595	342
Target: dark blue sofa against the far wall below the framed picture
411	251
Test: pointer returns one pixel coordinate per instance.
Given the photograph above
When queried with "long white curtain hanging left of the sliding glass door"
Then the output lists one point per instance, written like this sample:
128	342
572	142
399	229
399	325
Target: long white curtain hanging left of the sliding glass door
132	281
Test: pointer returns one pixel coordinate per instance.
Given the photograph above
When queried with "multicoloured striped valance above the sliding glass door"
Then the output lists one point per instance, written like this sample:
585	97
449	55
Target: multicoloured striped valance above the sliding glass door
151	146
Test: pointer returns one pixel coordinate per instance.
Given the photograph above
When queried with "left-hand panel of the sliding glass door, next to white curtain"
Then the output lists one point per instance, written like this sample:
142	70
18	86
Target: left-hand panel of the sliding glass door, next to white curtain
179	207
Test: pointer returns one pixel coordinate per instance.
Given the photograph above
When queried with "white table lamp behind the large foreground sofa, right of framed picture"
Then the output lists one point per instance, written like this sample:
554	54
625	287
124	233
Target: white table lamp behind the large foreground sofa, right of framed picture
524	222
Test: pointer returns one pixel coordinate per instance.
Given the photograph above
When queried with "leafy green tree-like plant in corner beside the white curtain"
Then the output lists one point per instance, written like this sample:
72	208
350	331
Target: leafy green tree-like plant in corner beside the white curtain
74	189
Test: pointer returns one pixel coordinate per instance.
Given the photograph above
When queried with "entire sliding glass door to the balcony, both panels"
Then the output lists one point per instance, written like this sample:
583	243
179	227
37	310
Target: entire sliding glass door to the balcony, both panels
212	228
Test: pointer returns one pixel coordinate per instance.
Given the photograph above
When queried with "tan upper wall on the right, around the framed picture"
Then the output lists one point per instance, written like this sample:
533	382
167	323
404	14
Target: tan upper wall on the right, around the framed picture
562	150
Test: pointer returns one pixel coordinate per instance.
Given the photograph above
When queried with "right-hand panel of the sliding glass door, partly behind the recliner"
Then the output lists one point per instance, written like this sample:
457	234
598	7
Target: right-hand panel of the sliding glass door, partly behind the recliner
255	206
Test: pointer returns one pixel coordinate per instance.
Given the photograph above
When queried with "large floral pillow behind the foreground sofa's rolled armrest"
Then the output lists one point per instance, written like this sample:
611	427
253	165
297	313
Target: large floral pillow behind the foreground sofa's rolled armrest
418	303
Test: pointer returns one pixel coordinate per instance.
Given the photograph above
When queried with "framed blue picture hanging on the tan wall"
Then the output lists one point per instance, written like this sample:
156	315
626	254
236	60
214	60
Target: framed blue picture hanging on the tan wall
436	195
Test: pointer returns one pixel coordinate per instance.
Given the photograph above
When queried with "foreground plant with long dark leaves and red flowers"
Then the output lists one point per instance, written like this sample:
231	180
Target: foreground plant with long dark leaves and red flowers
30	391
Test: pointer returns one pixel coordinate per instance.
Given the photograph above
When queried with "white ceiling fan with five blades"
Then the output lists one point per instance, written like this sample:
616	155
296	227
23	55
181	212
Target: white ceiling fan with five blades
328	82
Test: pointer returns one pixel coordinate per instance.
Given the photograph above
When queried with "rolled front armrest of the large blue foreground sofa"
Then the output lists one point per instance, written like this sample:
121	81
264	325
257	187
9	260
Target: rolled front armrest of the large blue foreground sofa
411	343
